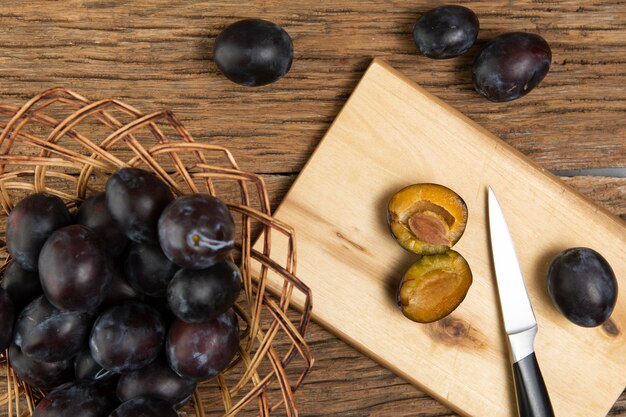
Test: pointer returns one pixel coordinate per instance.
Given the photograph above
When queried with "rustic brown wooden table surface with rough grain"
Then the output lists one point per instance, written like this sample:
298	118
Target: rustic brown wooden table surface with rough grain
155	54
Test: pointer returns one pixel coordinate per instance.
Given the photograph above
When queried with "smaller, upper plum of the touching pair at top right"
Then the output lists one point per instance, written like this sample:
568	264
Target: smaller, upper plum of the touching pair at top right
446	31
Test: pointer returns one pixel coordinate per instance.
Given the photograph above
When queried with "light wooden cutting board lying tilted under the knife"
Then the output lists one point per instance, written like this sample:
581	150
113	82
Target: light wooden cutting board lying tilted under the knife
392	133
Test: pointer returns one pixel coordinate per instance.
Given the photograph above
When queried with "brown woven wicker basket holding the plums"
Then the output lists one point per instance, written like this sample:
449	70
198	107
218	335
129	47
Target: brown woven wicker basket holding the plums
62	143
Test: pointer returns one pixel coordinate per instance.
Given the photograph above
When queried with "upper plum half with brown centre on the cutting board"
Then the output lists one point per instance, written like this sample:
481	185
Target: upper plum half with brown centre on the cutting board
427	218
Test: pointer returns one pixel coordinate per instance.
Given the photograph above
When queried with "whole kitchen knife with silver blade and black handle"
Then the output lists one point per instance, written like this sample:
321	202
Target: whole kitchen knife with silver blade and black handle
519	320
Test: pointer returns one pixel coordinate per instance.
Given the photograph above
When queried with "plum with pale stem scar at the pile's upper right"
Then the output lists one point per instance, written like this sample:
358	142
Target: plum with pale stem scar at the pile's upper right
196	231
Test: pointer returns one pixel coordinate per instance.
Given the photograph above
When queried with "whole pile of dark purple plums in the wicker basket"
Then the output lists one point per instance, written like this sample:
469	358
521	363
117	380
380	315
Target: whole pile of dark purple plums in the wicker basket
124	307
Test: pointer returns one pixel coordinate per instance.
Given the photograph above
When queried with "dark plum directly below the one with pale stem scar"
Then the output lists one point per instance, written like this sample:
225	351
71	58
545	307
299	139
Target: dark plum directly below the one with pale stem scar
200	295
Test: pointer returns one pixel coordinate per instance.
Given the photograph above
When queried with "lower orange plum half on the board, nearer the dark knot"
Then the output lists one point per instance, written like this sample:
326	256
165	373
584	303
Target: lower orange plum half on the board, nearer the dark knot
434	286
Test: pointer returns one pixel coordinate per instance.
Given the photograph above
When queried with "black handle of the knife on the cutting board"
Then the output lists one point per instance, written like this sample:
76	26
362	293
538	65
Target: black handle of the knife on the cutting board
532	395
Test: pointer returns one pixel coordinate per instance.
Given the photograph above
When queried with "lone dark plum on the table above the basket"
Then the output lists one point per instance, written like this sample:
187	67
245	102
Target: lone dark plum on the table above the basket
253	52
